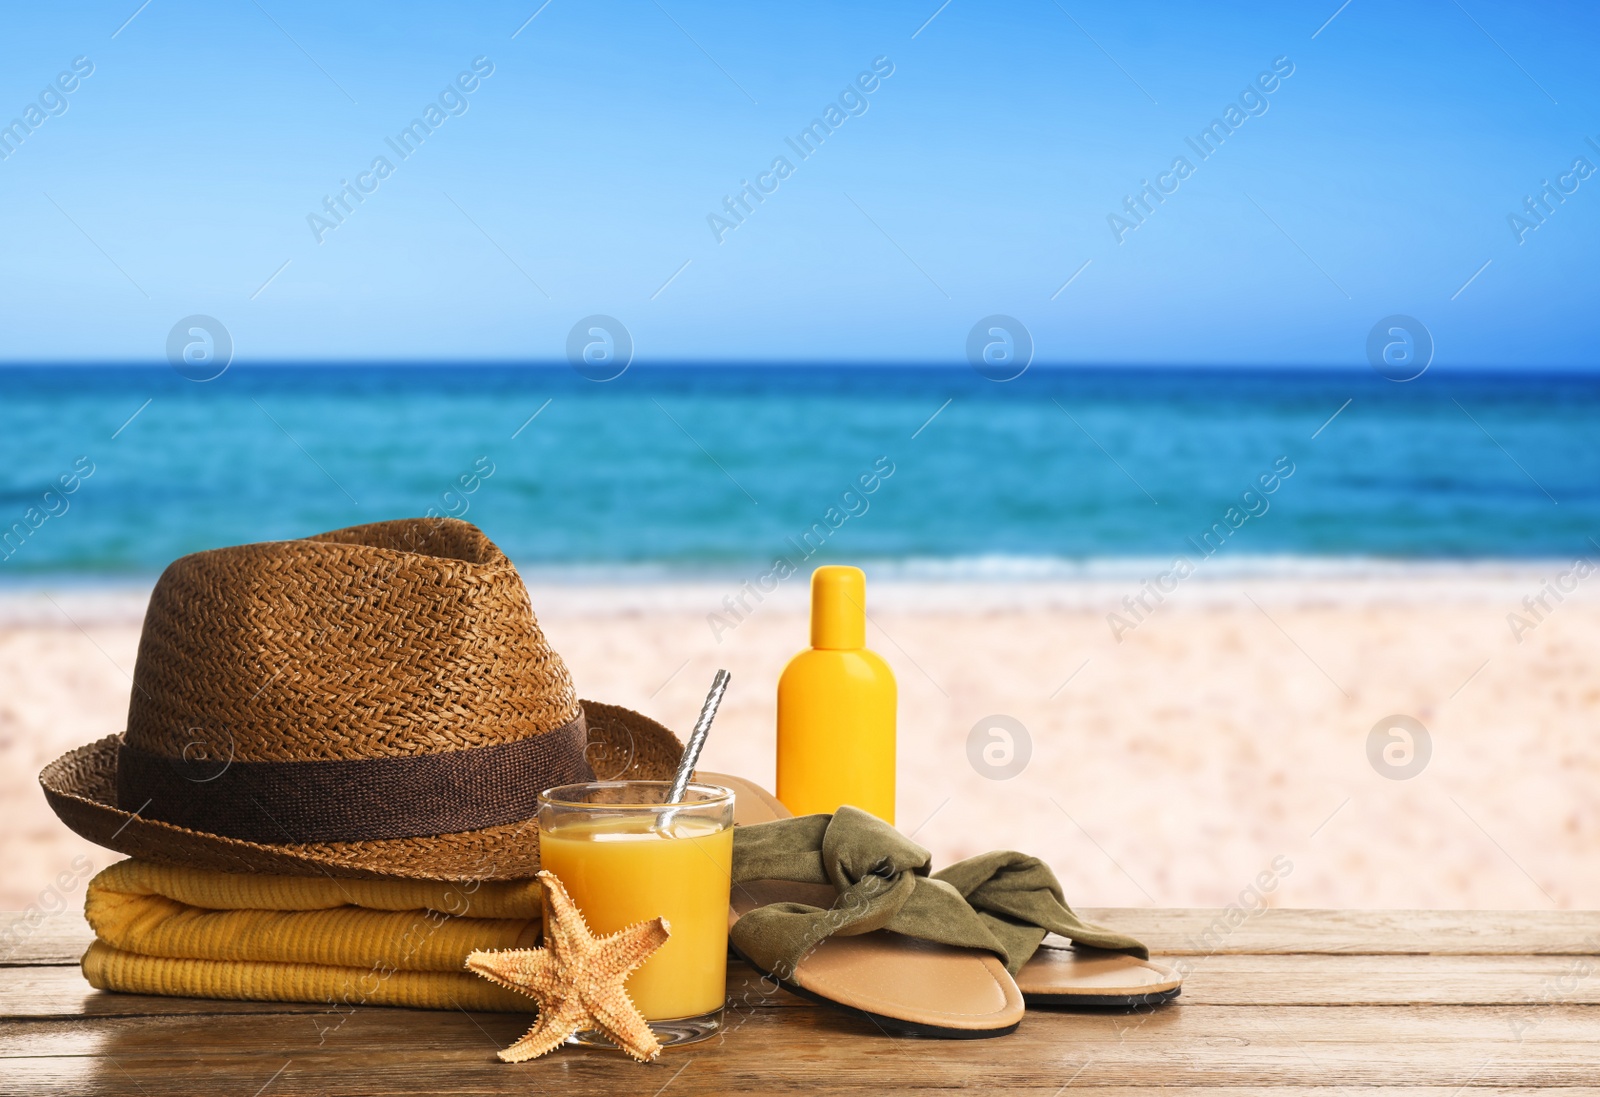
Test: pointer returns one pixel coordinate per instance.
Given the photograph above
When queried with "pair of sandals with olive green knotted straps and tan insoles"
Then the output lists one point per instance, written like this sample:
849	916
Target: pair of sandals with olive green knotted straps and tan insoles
1014	912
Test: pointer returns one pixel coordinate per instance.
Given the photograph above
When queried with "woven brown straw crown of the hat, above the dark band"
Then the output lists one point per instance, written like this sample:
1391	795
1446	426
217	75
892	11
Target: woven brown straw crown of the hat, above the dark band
393	639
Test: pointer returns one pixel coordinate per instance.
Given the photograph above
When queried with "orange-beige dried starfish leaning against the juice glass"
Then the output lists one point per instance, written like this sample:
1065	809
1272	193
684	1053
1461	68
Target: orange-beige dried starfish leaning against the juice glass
577	979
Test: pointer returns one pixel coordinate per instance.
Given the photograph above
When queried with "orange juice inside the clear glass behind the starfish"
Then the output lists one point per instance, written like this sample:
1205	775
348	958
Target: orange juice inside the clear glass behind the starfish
622	872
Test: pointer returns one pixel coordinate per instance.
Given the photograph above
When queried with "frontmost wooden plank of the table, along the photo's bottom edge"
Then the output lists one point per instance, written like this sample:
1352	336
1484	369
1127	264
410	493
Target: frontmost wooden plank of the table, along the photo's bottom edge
817	1051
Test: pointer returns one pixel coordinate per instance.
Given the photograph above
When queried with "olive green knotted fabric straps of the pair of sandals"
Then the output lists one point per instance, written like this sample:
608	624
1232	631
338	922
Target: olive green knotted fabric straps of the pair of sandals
1004	901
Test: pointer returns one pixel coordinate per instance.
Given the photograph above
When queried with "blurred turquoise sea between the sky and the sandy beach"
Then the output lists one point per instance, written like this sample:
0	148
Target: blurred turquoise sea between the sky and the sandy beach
710	469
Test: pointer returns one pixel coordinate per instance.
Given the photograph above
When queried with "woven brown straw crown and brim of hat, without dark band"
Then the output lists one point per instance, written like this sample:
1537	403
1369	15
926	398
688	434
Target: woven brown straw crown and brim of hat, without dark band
378	642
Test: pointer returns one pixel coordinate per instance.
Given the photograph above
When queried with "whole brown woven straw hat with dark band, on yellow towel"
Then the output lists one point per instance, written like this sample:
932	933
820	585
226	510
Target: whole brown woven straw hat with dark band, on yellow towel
369	703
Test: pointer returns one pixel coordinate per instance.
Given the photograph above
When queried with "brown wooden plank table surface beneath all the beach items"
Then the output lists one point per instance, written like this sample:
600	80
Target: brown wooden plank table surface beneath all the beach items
1287	1002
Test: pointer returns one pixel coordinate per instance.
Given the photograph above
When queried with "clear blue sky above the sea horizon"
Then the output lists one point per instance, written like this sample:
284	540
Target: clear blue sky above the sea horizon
978	180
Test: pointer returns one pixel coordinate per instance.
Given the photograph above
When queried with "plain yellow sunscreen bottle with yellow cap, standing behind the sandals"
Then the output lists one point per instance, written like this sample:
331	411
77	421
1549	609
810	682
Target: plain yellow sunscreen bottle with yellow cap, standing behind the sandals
836	709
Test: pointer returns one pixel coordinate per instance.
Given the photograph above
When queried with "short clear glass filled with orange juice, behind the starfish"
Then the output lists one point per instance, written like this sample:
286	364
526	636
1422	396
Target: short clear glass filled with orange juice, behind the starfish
626	855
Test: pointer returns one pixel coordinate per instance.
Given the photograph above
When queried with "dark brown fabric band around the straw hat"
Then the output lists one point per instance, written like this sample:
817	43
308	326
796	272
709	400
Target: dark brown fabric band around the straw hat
354	799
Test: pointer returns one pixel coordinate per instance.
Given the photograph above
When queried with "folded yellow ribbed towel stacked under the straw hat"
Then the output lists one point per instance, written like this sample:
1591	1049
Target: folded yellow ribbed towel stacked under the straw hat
167	930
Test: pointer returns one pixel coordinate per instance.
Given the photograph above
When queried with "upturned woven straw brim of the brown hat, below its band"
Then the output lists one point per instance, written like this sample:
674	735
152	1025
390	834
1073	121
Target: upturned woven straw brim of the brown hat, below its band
82	791
